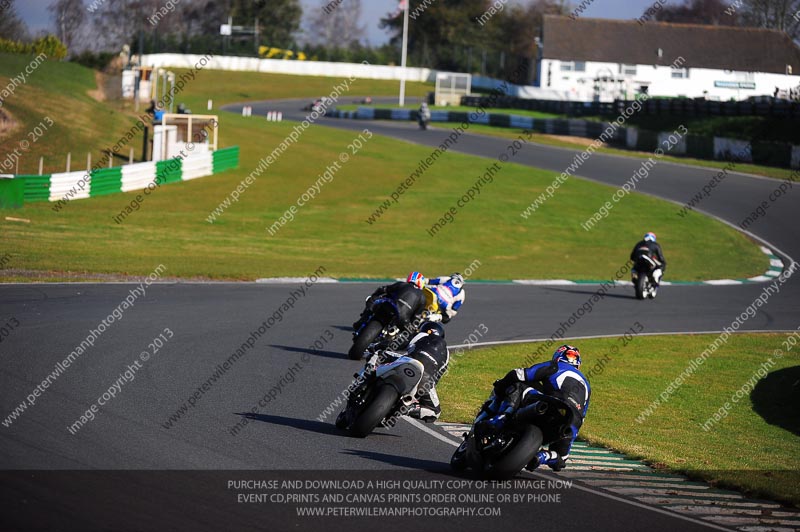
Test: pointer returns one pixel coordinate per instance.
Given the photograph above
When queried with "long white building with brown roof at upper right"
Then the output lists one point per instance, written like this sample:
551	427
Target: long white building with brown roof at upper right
602	60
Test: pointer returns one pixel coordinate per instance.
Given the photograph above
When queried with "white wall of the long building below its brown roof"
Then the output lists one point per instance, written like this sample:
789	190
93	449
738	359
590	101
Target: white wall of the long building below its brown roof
580	85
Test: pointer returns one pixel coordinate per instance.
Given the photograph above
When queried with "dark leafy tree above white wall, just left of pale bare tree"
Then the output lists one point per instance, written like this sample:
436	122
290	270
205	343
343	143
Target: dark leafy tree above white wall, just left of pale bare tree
278	20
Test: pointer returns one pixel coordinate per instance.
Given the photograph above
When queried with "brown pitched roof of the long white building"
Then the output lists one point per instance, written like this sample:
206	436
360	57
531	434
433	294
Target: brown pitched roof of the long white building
702	46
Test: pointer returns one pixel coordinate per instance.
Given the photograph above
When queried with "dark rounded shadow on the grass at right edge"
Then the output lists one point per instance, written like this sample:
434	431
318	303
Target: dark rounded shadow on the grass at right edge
776	396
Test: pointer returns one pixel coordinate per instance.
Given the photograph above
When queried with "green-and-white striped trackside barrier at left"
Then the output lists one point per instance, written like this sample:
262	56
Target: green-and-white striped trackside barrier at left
132	177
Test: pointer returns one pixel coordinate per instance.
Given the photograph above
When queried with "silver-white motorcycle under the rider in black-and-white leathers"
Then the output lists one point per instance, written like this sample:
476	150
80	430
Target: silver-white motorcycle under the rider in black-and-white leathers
380	393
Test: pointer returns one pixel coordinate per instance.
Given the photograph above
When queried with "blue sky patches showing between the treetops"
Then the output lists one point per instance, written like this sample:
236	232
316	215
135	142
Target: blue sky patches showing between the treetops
34	13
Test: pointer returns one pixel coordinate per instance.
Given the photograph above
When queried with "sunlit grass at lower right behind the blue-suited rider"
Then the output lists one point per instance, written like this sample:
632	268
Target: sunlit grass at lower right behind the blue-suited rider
742	450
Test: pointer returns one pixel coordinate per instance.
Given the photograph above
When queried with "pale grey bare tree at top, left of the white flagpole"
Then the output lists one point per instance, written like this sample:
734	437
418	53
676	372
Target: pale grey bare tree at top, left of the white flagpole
336	26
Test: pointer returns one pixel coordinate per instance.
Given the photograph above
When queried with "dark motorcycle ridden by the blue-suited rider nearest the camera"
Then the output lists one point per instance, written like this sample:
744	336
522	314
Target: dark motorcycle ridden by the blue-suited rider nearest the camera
501	454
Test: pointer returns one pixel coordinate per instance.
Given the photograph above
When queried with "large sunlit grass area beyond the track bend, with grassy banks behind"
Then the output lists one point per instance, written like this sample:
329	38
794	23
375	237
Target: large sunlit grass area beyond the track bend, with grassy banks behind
171	226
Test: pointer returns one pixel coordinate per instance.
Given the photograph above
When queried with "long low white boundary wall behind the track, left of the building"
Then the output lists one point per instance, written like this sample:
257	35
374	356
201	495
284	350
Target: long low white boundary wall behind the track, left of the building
300	68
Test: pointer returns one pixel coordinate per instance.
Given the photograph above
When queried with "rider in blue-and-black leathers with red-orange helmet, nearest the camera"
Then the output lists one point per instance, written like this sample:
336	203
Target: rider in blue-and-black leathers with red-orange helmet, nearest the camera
560	378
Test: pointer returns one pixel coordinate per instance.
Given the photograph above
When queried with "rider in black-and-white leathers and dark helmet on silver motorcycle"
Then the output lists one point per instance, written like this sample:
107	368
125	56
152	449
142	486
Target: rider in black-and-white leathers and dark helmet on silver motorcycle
429	348
